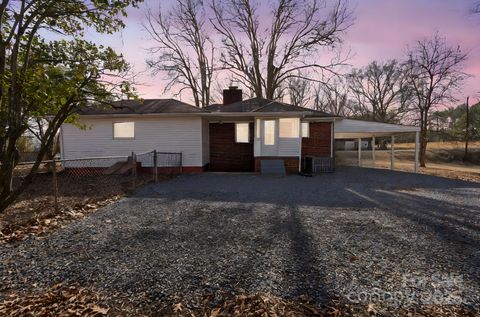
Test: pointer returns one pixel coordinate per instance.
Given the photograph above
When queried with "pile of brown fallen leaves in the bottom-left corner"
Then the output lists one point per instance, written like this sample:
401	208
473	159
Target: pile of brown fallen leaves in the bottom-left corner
58	300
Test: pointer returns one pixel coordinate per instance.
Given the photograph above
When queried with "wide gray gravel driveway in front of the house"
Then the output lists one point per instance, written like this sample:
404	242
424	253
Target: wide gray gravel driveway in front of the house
360	235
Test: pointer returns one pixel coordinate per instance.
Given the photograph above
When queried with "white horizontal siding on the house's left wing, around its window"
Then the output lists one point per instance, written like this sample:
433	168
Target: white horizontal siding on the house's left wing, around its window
173	134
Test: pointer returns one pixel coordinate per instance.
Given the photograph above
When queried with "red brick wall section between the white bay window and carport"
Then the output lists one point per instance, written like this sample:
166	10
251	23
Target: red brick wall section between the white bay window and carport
319	143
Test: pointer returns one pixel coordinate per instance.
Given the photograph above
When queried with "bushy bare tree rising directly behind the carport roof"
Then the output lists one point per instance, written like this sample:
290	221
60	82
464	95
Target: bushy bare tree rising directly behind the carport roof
379	87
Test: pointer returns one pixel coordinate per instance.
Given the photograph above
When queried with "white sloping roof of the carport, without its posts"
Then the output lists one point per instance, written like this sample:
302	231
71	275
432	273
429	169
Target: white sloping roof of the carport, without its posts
350	129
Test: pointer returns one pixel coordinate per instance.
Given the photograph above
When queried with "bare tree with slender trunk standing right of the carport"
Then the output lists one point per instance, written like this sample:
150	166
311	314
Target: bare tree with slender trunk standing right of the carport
434	74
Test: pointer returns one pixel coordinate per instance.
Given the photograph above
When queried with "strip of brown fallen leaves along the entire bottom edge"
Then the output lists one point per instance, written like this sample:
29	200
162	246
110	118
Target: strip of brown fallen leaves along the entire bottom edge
61	300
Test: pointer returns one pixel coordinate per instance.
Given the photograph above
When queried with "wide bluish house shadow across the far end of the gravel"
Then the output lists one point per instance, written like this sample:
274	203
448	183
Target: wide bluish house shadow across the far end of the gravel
323	190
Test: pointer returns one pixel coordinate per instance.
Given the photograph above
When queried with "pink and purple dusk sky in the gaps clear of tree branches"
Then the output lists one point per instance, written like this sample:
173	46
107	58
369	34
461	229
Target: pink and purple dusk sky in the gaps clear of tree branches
382	30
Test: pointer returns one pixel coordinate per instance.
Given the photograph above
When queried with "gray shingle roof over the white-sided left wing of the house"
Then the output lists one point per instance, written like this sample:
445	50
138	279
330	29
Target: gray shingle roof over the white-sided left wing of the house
145	106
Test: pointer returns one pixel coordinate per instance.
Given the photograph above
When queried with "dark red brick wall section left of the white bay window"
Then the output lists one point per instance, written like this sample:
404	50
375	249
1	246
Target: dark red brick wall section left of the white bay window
225	154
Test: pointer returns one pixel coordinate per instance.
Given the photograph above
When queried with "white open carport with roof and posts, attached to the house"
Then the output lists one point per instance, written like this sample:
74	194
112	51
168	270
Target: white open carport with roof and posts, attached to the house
358	129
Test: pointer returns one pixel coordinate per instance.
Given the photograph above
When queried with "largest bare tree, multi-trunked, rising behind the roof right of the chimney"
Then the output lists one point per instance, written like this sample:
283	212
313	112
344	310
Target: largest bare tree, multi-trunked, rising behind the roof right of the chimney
266	60
